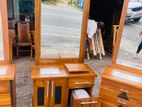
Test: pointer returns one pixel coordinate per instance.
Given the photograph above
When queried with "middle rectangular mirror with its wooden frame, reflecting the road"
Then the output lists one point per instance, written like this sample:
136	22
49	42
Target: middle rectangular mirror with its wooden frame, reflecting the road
62	28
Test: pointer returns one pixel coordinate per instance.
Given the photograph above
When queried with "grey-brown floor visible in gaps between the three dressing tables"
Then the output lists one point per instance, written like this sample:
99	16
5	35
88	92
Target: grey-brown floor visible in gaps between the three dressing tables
24	82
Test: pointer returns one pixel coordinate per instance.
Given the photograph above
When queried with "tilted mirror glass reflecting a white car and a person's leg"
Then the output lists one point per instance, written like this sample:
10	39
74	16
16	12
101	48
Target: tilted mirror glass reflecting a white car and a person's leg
131	40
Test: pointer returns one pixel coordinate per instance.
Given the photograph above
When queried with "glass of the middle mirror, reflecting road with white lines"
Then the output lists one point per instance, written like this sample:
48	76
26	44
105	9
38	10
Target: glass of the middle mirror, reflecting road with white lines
61	23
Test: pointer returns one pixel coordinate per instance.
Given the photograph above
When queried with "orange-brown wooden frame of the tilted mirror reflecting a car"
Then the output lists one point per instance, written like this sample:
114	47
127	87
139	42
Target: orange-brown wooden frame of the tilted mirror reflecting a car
118	39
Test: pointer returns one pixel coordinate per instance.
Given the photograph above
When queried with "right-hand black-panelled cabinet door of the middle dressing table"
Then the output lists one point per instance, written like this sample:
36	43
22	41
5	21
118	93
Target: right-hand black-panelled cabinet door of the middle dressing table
59	93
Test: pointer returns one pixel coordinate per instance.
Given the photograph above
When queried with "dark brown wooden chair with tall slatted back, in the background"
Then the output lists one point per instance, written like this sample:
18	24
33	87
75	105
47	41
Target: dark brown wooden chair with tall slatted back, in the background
23	39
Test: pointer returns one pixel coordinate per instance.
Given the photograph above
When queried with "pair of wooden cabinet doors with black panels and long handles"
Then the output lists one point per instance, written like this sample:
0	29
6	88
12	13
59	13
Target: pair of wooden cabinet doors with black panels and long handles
50	92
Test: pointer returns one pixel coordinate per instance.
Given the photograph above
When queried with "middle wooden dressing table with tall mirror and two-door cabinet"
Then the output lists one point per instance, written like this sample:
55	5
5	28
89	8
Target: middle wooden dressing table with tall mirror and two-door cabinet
58	52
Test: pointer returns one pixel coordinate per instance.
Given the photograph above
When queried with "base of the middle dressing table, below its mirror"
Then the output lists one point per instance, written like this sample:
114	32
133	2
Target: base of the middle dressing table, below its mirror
54	87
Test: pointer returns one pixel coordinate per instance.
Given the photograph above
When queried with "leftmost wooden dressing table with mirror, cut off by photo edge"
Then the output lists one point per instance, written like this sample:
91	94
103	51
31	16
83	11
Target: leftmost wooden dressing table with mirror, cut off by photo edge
7	70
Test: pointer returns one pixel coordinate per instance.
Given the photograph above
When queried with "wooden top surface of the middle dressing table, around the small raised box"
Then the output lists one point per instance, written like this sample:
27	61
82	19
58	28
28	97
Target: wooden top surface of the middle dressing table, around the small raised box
38	72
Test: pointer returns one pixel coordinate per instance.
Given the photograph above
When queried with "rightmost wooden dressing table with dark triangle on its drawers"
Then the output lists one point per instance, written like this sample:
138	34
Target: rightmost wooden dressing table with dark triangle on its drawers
122	81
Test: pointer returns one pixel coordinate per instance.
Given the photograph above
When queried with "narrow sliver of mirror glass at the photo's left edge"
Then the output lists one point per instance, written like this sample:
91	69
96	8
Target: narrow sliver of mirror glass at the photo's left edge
1	39
